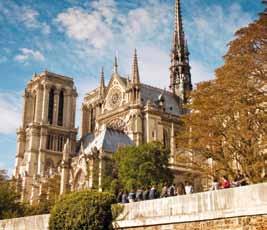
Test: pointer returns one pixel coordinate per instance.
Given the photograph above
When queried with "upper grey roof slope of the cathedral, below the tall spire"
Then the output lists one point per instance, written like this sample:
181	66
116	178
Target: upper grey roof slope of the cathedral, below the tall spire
154	94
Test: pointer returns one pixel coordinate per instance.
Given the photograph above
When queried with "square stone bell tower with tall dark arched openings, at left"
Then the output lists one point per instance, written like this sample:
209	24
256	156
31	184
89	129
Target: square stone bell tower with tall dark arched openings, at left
48	122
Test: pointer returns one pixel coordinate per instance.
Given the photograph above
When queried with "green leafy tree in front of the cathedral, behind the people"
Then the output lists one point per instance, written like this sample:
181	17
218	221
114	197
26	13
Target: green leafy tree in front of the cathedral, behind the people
142	166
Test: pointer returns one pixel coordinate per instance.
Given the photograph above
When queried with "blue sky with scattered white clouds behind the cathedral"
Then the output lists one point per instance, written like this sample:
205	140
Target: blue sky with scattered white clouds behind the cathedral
77	37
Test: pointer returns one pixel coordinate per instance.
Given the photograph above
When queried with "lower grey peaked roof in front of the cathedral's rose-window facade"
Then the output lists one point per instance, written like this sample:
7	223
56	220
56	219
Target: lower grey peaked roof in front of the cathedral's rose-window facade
109	140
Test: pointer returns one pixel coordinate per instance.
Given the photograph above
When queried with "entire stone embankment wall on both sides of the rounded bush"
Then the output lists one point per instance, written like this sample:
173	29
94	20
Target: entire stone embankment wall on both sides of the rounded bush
238	208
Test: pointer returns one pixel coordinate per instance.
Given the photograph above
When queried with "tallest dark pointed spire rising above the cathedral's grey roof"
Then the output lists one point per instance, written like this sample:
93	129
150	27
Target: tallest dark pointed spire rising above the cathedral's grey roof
180	77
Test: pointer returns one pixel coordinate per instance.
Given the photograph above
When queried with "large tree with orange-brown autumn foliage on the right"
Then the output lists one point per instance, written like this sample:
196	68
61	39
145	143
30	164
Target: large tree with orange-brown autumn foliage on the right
227	122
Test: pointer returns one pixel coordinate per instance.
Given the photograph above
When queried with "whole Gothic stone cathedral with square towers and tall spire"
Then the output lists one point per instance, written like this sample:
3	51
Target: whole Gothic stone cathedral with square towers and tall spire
122	112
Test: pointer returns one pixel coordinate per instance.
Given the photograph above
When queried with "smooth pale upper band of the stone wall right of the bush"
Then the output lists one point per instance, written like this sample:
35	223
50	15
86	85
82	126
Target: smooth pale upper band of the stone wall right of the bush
228	203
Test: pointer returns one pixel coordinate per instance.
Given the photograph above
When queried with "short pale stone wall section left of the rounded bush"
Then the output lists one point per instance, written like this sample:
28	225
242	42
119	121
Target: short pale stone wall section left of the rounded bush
26	223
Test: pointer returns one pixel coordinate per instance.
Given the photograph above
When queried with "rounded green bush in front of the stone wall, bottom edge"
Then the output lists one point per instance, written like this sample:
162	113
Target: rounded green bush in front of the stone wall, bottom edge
82	210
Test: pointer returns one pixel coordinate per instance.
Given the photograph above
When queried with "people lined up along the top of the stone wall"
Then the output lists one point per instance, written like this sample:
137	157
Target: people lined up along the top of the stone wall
150	193
